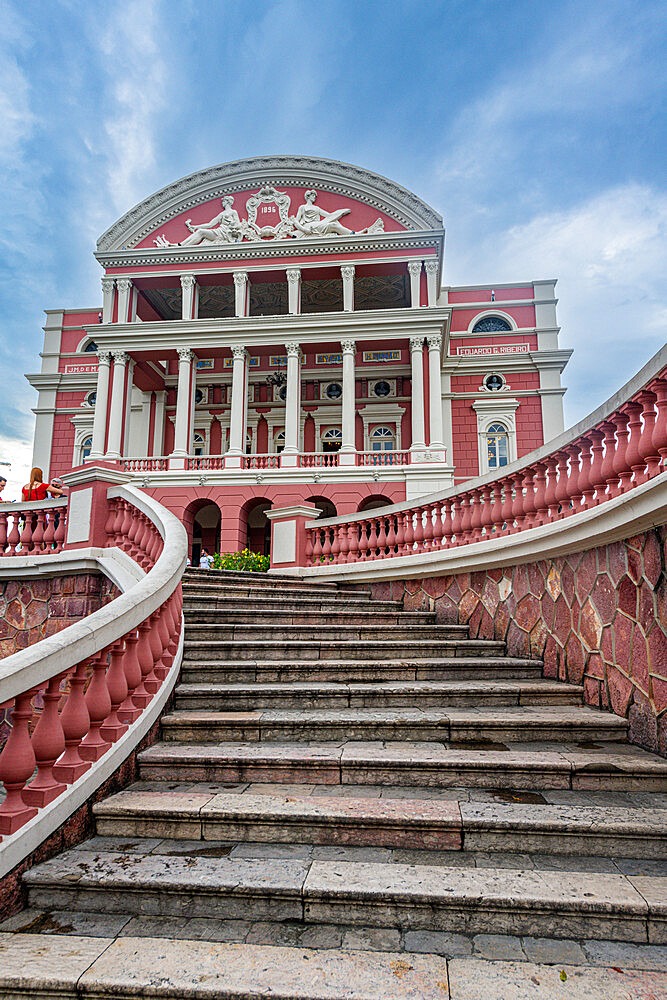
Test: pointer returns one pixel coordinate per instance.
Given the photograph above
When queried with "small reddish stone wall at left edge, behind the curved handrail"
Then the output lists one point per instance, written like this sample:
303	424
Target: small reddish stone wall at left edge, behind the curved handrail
30	610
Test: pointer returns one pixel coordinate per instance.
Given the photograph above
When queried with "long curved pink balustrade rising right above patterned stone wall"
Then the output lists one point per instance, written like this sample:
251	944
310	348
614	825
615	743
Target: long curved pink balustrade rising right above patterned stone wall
621	446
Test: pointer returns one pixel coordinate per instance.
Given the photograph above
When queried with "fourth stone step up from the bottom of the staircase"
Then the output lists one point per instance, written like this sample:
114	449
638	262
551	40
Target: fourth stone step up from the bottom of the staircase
611	767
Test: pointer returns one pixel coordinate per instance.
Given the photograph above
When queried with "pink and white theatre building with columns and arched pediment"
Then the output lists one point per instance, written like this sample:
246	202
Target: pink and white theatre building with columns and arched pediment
279	330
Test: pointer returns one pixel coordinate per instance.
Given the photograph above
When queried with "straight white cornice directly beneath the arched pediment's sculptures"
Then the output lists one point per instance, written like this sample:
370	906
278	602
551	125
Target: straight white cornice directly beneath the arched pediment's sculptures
279	249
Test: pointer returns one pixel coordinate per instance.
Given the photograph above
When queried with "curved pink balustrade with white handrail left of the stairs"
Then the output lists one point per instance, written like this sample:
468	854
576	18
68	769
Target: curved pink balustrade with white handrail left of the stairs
74	695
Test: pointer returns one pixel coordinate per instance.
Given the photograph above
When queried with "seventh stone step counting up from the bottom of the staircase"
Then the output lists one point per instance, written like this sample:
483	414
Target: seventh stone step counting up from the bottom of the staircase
437	668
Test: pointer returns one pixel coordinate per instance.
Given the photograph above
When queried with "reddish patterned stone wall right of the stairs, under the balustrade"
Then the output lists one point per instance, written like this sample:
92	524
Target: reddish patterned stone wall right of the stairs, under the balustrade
597	618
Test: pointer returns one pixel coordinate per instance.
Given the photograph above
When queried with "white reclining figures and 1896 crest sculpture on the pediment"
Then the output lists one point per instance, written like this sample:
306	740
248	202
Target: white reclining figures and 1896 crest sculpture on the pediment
228	227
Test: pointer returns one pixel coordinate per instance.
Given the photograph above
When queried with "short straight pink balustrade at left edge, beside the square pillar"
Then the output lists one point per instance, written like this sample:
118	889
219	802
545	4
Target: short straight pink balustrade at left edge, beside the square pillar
33	528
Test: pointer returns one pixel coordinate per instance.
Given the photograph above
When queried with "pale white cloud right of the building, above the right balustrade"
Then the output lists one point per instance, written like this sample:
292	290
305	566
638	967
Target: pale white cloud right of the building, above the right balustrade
609	255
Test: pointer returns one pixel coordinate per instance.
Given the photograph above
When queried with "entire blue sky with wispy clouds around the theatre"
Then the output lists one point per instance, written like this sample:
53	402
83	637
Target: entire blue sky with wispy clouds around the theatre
537	129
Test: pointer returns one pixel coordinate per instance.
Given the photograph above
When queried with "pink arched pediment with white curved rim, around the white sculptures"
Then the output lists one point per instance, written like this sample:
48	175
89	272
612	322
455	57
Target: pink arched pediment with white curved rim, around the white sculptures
364	195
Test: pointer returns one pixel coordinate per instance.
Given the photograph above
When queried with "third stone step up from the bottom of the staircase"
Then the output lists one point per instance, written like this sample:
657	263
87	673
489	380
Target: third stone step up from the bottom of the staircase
419	823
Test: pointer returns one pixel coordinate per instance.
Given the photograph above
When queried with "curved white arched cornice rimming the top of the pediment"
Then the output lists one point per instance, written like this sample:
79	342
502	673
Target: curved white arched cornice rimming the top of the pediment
280	170
